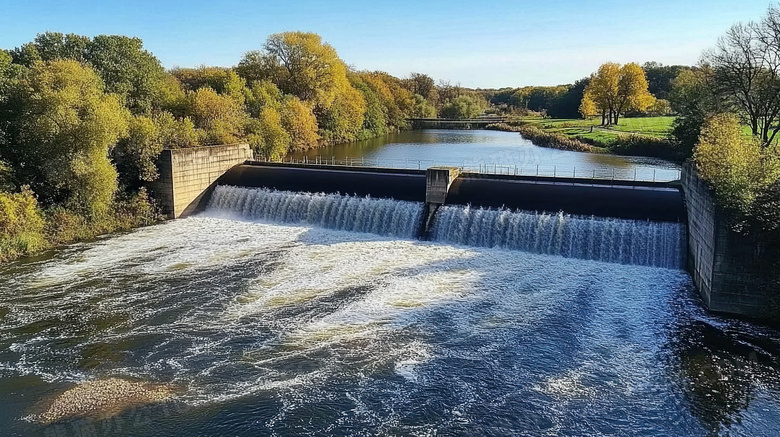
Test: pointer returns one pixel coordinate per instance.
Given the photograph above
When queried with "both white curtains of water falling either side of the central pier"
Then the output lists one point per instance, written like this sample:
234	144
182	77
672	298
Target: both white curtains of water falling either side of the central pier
656	244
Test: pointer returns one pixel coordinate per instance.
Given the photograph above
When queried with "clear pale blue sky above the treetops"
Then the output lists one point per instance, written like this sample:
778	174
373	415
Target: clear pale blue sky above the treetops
474	43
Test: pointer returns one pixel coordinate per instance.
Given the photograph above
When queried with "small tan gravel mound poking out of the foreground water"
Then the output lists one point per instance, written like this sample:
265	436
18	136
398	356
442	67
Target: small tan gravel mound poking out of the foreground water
103	398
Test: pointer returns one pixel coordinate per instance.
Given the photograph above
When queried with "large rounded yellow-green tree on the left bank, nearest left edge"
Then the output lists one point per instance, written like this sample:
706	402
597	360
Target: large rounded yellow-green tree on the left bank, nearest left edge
58	128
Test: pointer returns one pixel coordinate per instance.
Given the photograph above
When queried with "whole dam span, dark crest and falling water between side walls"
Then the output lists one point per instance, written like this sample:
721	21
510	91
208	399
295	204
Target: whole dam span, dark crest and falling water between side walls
635	225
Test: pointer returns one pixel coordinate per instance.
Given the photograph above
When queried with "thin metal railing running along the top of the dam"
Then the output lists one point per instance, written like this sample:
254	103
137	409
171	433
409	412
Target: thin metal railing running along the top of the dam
636	173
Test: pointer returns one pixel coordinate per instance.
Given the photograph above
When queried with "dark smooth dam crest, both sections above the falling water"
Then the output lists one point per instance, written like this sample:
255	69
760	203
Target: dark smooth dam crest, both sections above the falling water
618	199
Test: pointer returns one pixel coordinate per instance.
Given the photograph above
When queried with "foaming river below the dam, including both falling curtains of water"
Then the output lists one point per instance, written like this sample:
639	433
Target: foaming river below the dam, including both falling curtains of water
303	314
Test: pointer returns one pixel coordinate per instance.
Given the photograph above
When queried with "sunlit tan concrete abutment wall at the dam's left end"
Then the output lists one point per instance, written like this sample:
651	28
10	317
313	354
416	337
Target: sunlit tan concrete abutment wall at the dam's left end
187	175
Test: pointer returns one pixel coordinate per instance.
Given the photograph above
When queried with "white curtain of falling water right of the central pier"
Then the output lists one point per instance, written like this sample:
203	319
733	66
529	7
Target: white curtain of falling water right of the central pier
658	244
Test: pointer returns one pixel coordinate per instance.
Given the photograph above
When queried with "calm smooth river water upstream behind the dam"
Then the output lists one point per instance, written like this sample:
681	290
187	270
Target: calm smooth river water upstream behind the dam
490	151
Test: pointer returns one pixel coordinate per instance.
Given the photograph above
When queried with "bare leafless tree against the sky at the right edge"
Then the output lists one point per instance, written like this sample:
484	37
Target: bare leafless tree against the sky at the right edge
746	67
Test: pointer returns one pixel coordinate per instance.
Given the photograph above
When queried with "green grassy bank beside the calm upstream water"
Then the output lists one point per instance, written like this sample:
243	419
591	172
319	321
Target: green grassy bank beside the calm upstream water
643	136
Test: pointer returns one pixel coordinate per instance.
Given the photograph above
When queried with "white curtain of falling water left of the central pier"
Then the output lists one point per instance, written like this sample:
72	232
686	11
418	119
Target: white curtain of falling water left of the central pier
333	211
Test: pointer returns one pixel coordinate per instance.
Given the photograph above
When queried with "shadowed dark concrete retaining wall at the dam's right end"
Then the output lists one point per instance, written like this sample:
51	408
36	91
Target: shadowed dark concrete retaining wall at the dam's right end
728	268
